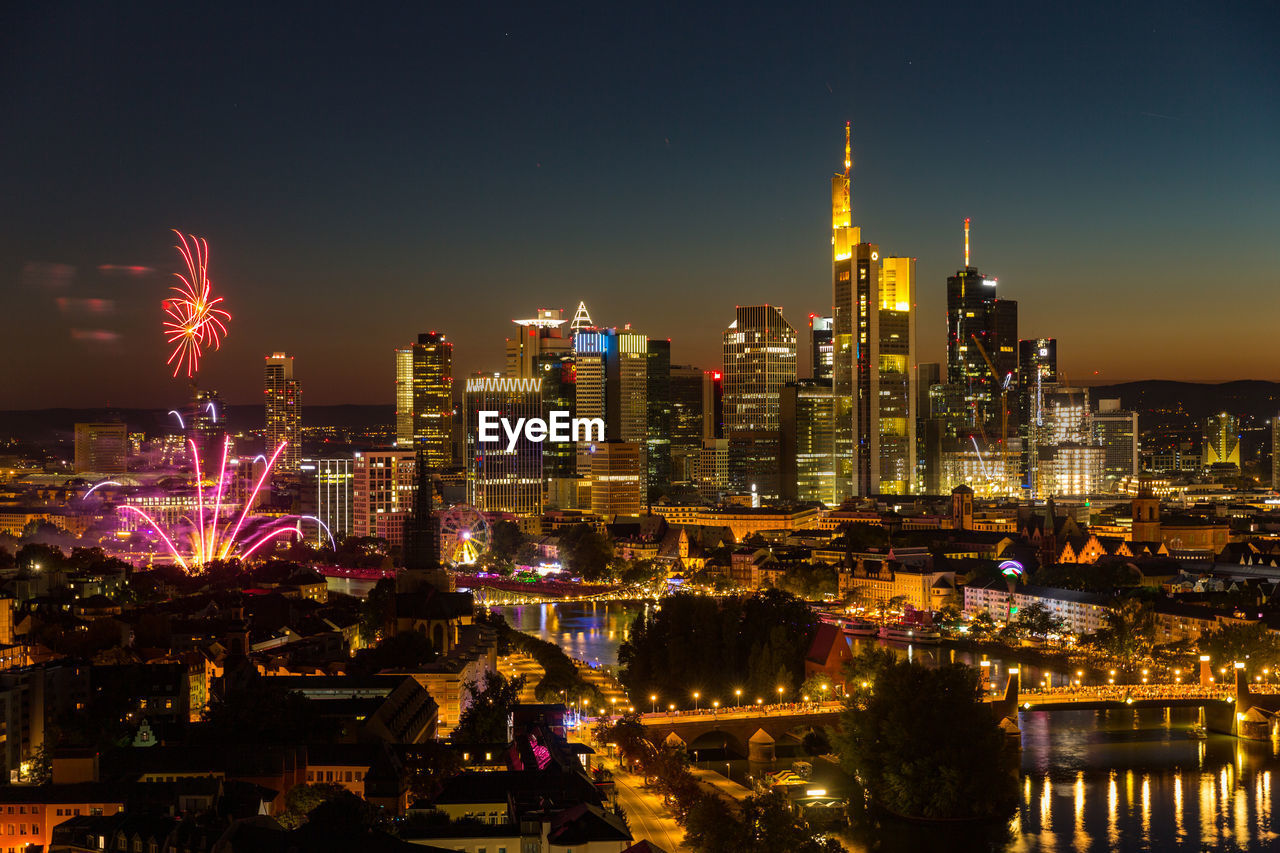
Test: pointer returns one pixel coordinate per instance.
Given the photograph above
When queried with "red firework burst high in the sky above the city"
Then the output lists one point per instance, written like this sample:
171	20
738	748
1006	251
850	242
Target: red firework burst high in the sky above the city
195	321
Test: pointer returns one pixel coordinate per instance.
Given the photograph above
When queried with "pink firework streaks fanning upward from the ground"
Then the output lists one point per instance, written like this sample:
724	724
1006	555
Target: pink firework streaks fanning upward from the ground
213	532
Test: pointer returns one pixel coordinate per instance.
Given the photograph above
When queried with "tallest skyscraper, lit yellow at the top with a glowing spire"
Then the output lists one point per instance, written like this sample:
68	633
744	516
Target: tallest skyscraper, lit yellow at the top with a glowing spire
874	361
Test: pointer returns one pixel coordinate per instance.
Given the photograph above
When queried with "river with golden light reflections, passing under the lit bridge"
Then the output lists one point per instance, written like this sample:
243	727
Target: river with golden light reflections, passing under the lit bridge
1091	781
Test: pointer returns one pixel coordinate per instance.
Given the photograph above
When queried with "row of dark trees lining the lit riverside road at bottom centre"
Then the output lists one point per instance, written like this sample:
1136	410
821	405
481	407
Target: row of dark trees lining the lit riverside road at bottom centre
766	824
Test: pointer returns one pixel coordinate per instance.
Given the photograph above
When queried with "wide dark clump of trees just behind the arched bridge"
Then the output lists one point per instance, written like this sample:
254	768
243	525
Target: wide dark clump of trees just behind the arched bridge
716	646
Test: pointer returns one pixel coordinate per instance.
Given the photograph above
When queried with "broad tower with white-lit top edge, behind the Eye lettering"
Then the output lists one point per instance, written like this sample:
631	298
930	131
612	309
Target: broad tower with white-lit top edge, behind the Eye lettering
501	480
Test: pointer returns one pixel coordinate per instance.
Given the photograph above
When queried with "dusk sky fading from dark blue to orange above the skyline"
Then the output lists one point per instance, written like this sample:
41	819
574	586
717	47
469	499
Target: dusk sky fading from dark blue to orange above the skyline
368	172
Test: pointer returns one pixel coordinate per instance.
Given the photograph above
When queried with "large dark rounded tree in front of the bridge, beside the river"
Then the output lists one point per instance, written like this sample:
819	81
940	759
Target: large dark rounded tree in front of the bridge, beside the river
947	759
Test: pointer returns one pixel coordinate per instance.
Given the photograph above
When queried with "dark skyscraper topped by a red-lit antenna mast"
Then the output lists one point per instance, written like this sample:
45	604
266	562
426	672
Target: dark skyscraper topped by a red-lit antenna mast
980	322
